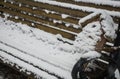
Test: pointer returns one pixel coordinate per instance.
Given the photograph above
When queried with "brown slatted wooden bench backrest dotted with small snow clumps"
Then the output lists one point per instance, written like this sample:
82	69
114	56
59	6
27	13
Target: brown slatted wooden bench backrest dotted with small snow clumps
50	18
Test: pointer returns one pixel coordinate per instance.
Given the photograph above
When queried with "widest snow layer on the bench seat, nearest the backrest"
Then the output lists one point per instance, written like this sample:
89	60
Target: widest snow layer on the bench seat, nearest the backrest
39	41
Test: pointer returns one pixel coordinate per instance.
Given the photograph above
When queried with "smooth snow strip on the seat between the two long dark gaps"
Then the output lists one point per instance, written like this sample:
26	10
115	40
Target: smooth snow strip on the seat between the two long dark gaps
38	63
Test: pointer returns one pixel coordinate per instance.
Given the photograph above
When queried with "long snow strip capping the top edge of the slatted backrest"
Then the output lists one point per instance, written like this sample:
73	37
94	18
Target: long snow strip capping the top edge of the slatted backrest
77	7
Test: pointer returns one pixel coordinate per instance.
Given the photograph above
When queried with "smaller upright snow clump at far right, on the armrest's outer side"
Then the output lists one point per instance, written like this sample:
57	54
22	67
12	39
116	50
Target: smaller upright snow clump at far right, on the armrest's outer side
110	32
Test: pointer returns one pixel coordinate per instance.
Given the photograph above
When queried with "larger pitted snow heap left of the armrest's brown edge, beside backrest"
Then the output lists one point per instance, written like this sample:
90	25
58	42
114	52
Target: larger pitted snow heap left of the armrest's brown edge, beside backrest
87	39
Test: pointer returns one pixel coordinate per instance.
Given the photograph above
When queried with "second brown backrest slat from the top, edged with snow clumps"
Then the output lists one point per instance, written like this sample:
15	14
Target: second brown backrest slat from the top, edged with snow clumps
43	13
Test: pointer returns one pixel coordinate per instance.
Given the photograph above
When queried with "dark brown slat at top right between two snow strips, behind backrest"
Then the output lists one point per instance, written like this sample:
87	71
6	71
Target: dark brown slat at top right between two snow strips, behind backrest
102	6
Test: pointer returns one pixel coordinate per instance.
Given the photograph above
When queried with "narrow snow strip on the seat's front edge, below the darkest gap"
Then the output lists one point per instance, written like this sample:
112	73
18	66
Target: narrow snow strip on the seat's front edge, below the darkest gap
39	73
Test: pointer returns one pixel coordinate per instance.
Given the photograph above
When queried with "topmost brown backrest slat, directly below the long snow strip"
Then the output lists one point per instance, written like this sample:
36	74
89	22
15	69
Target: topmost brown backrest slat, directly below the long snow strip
72	12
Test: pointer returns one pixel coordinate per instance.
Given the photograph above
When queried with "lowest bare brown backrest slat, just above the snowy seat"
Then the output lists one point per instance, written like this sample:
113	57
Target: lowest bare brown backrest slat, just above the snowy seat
45	28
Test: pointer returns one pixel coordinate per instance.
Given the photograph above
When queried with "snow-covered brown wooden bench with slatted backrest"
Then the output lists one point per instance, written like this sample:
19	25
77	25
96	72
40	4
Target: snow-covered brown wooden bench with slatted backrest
40	53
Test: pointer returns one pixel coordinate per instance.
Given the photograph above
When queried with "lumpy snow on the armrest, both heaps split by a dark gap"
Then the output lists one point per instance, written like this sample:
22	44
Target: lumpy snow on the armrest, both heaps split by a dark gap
91	33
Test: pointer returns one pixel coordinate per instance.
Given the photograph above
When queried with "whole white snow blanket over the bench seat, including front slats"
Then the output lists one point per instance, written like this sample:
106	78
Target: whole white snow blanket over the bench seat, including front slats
38	46
